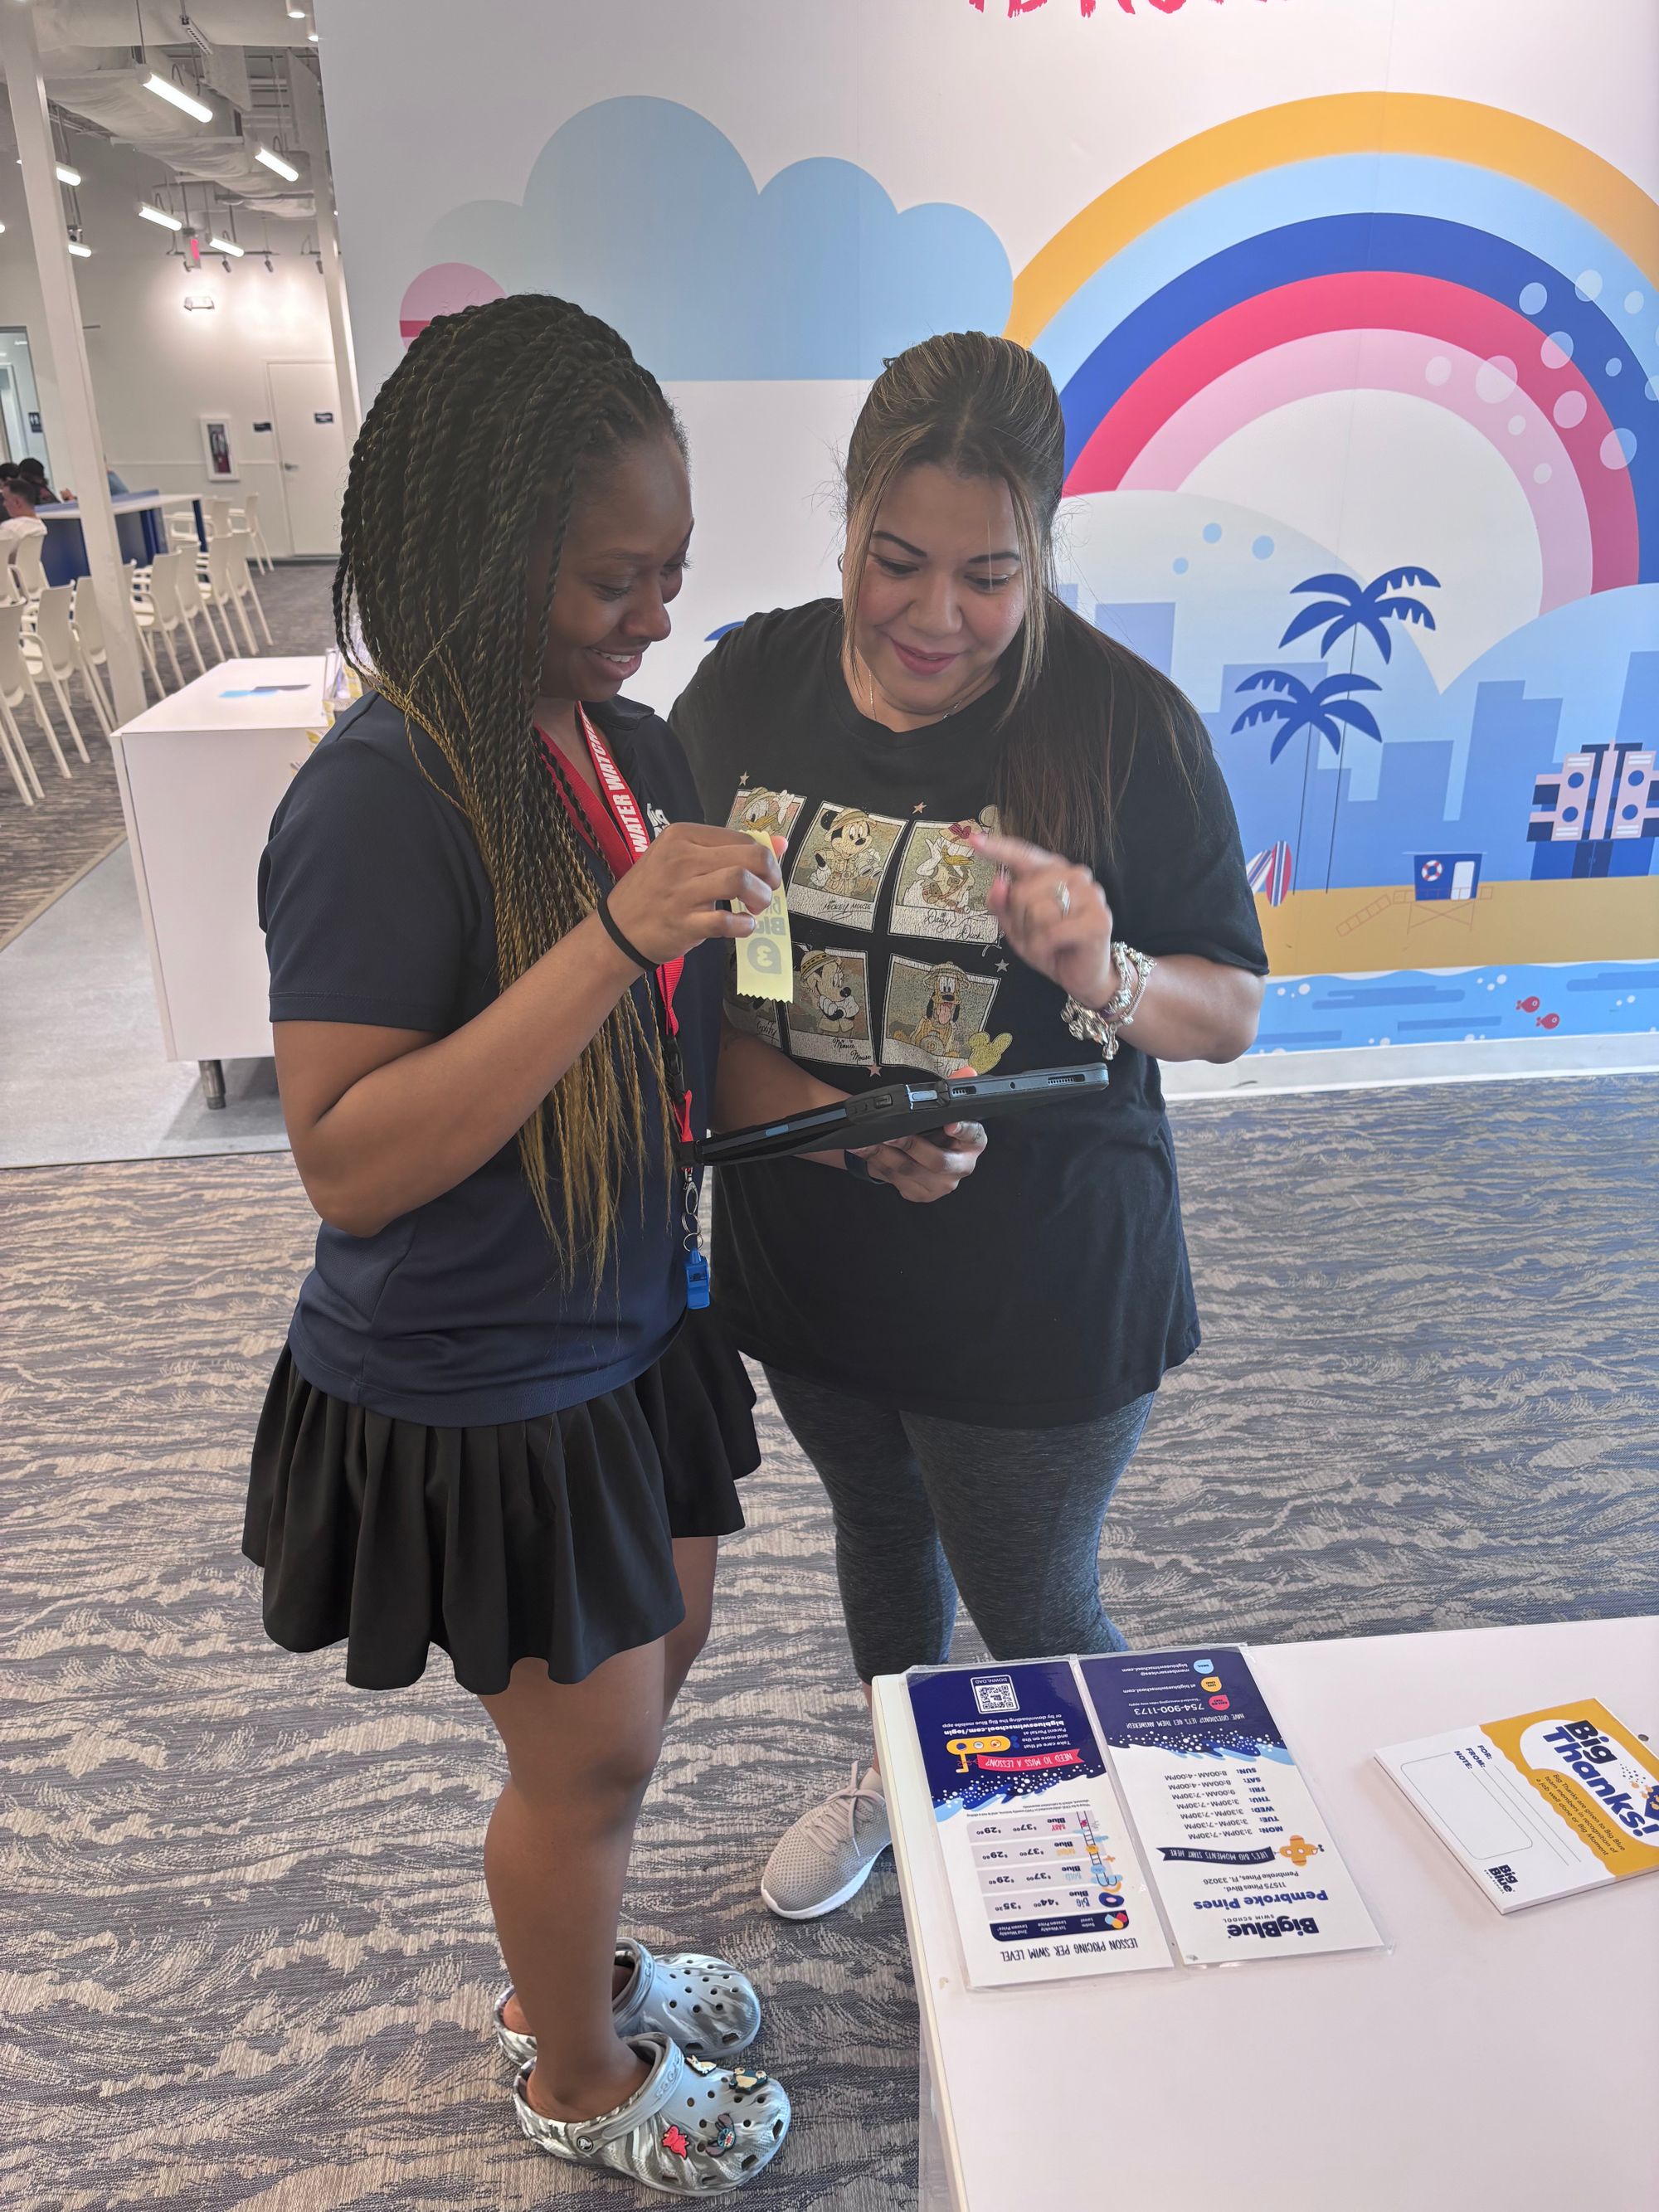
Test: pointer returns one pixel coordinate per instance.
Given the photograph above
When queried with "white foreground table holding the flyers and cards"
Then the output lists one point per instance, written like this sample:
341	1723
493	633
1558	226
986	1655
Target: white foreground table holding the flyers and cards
1485	2063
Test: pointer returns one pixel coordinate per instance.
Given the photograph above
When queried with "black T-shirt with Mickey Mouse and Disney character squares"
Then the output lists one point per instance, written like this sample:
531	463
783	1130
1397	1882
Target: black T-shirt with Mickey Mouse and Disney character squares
1052	1286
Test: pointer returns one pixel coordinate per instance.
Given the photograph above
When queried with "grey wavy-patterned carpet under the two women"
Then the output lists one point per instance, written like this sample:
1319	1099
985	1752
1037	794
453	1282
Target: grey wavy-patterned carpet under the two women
244	1950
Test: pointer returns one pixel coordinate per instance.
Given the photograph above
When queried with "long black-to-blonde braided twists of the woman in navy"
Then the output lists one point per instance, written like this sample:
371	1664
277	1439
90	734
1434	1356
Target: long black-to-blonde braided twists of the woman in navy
481	444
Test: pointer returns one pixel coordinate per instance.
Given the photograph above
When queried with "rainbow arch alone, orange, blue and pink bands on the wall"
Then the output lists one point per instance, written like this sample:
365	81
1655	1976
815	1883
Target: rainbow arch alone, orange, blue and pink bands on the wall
1388	238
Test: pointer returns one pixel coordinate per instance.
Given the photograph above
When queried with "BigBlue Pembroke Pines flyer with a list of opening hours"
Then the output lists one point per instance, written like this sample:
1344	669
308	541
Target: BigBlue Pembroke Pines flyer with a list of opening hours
1242	1859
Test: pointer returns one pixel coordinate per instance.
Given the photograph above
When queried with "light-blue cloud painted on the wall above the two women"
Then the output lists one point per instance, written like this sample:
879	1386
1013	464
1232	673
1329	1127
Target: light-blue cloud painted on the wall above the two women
649	216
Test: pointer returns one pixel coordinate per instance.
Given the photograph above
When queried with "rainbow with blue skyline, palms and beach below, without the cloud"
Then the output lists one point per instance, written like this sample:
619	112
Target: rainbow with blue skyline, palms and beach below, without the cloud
1432	862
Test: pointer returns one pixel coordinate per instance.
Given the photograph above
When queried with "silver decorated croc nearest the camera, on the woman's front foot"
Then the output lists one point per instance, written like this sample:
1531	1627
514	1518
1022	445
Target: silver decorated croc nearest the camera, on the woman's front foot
691	2129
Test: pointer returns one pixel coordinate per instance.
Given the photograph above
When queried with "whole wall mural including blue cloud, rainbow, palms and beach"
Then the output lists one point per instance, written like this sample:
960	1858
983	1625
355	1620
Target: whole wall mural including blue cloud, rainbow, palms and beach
1364	450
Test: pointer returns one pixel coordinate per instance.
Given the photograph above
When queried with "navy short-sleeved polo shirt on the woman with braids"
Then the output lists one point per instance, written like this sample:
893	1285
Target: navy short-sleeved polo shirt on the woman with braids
377	910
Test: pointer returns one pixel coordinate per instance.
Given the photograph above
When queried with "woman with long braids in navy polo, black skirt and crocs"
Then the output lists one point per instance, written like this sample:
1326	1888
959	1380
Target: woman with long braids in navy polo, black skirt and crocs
497	946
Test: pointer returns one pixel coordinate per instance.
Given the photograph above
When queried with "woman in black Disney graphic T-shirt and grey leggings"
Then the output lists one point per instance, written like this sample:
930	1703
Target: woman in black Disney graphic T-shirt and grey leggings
1010	848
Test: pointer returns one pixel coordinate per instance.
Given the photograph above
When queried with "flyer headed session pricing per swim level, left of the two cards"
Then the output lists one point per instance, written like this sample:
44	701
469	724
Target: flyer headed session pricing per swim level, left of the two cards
1045	1879
